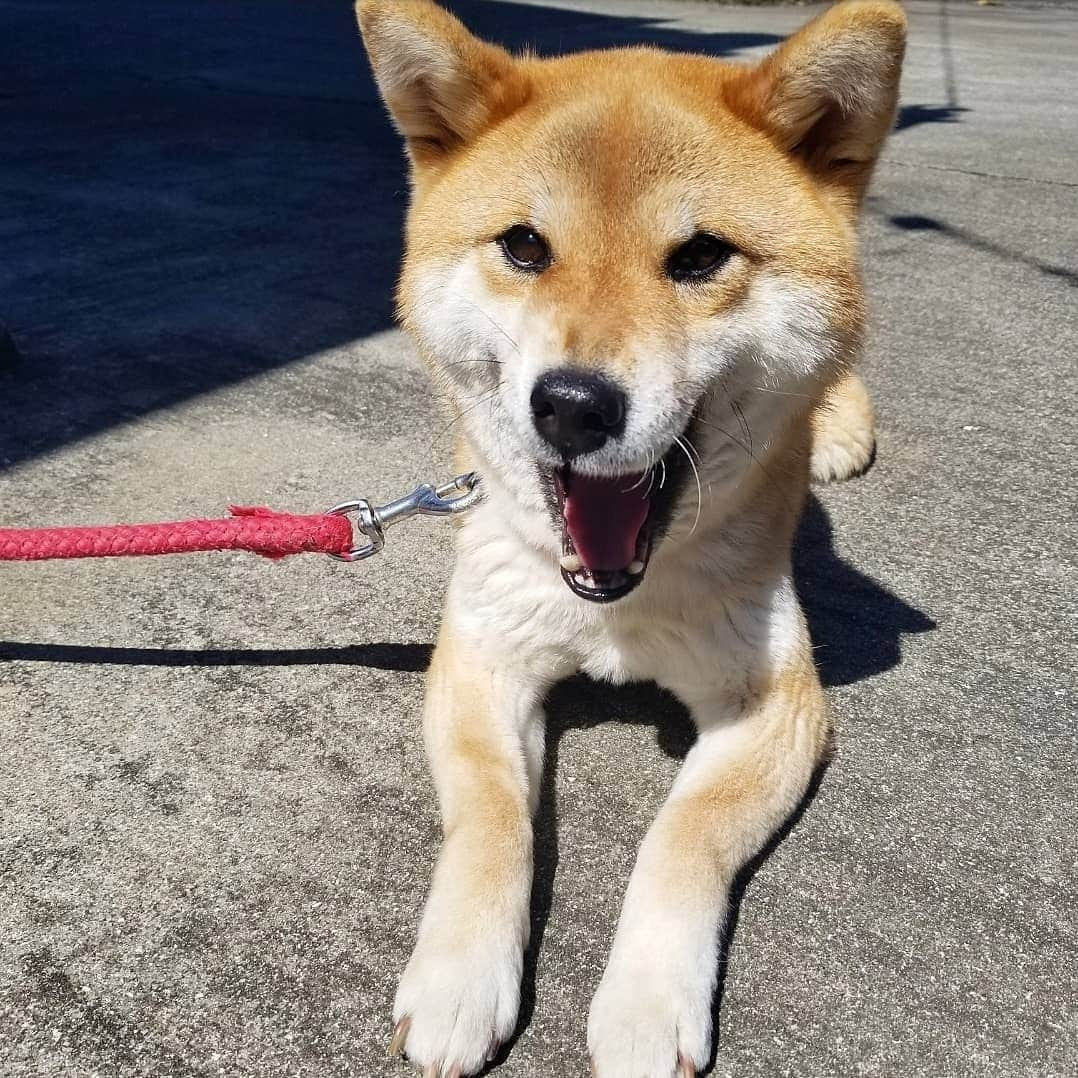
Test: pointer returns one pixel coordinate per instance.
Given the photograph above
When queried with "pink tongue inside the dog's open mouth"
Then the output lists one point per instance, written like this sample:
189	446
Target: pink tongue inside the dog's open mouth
604	518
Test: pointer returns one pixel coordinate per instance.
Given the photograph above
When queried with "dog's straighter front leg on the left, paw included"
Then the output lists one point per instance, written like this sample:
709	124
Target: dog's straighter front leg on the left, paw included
460	996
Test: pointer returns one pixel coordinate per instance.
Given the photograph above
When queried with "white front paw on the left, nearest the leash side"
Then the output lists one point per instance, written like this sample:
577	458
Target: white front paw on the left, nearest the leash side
458	1003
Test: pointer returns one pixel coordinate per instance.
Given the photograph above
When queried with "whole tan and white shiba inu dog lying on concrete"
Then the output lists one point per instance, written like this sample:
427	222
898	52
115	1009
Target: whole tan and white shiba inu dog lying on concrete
633	277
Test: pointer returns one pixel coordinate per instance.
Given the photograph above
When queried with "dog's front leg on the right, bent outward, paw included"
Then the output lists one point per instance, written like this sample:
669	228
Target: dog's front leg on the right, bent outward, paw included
652	1017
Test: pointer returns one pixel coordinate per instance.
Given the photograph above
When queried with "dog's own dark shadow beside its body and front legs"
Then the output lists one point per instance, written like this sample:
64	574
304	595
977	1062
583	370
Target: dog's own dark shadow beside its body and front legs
858	627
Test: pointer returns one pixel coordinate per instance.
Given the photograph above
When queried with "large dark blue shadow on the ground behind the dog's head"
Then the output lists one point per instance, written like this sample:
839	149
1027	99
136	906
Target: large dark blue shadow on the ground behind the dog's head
198	191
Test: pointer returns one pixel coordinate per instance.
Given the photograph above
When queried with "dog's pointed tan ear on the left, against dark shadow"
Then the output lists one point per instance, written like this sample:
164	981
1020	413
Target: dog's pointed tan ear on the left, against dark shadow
441	85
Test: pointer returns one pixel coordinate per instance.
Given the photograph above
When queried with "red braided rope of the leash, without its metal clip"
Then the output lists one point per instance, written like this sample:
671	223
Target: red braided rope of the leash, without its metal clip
256	530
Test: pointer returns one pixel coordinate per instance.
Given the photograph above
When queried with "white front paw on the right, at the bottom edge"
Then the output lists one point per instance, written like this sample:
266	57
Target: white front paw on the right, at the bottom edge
646	1024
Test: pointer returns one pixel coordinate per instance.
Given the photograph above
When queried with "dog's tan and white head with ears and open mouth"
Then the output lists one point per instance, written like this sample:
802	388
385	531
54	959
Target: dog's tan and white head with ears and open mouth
606	248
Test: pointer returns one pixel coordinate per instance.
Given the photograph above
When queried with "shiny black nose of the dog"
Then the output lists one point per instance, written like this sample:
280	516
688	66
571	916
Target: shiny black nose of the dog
577	412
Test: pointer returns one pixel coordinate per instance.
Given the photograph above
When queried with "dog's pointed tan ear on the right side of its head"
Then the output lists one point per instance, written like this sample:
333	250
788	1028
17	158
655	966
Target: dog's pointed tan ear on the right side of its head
828	94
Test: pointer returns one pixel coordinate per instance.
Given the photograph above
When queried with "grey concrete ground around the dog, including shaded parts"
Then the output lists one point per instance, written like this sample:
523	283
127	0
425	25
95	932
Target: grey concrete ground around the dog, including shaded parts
217	828
